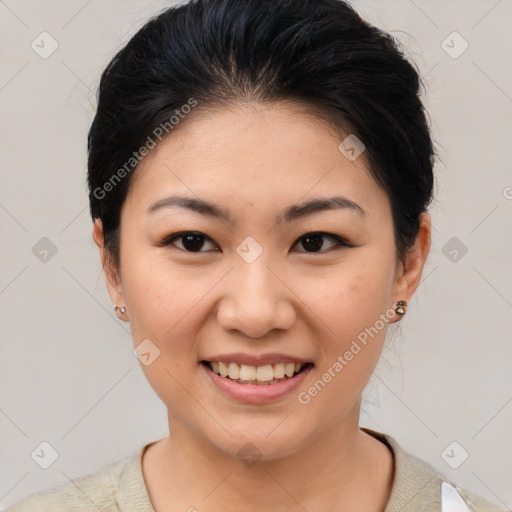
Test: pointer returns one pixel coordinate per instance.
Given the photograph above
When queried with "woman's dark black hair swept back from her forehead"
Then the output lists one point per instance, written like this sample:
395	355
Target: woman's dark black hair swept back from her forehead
319	53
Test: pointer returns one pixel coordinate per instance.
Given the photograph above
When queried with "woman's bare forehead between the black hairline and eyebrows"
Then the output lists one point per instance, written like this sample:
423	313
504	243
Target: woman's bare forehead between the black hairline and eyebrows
245	155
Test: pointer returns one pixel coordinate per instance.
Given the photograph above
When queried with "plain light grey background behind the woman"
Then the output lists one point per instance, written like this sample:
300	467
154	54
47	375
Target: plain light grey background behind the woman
68	375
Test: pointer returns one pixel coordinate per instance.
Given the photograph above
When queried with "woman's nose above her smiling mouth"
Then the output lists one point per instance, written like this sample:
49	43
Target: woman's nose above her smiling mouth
256	300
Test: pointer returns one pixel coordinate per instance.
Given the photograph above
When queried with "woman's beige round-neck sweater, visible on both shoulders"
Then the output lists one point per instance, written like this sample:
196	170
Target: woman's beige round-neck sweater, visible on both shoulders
120	487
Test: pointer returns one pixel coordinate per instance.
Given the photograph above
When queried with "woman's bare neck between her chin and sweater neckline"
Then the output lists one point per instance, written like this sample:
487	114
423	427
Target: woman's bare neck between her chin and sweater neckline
344	468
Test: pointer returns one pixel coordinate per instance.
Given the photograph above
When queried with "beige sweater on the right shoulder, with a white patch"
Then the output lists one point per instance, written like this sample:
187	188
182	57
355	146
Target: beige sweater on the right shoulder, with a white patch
418	486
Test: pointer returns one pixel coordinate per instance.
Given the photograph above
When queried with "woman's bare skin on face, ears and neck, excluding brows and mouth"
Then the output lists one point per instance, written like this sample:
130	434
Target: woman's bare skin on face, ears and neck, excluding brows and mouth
256	160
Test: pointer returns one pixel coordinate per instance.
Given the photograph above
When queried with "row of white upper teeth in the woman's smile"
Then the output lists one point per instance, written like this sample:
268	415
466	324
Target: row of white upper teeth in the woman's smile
255	374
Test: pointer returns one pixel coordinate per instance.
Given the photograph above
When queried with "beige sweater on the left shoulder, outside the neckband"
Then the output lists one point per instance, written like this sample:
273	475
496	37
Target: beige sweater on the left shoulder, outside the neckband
91	492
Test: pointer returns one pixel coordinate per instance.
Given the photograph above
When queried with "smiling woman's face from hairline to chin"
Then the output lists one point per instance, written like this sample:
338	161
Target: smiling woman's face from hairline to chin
251	286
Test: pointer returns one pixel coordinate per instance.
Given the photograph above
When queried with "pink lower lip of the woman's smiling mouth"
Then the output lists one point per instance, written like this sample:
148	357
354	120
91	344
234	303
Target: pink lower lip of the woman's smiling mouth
256	393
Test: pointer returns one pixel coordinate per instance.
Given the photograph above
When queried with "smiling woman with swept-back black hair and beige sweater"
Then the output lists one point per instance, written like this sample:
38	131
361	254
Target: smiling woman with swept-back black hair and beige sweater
259	176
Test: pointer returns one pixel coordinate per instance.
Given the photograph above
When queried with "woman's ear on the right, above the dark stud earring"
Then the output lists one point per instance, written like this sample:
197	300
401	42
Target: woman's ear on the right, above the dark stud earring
409	277
